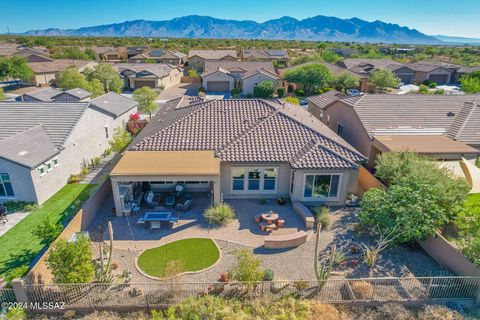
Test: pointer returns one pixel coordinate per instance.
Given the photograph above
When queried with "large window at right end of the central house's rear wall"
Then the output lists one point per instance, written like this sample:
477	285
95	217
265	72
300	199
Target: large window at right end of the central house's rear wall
321	186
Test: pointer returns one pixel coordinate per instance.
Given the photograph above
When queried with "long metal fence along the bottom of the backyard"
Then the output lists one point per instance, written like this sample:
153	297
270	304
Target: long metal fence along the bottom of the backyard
91	295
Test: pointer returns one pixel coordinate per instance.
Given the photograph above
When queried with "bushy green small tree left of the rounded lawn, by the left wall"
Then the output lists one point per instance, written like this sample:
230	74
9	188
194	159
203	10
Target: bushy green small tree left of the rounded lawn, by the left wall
71	262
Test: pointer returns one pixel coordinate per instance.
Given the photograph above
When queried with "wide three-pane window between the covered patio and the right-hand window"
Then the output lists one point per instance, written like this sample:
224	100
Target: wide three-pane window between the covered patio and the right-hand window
254	179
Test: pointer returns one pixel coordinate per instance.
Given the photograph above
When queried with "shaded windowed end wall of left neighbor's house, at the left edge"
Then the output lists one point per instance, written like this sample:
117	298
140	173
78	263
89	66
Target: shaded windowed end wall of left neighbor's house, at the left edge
21	181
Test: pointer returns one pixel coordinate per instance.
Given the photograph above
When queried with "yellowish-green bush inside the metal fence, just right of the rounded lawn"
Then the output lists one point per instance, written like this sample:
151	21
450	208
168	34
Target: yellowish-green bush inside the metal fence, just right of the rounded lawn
247	267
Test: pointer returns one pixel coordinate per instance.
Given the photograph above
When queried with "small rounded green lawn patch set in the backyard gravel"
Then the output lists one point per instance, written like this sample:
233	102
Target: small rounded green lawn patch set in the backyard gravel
194	254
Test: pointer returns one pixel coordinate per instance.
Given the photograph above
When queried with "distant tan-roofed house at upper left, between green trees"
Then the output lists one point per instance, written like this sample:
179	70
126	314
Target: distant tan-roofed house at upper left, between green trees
47	73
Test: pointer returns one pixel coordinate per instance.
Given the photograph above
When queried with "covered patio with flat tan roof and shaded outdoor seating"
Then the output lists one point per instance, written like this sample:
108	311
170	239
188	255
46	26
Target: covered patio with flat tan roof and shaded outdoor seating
149	179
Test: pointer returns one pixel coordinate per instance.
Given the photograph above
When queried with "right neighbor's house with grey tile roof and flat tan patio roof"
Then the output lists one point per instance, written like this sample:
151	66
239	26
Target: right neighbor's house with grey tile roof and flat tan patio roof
441	126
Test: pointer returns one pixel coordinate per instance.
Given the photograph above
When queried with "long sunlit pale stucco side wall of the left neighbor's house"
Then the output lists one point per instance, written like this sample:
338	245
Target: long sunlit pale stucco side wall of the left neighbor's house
88	140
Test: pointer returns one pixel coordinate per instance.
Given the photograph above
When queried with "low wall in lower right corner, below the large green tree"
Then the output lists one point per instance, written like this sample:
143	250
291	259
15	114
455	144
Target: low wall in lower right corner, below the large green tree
446	255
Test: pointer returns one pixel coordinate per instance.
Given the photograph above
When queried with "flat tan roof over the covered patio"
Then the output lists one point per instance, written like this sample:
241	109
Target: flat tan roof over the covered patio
167	163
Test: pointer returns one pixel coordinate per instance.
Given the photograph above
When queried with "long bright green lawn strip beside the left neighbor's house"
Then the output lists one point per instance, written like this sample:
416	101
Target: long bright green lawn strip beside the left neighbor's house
18	247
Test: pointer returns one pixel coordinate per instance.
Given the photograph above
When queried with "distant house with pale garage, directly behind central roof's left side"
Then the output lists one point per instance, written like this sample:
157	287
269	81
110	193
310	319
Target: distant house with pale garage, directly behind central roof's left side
153	75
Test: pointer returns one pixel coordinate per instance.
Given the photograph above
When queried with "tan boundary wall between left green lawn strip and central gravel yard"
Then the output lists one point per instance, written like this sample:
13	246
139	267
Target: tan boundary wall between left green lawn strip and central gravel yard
39	273
